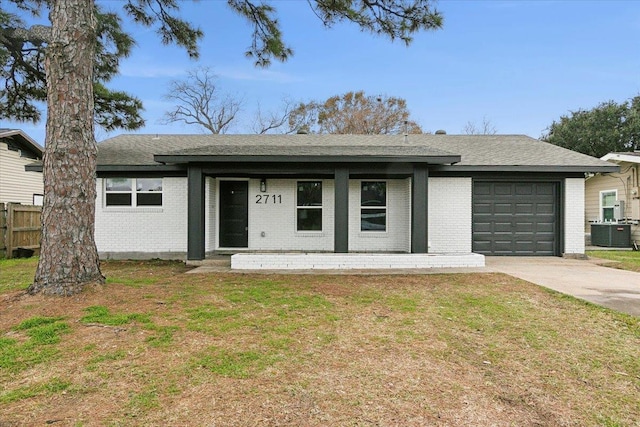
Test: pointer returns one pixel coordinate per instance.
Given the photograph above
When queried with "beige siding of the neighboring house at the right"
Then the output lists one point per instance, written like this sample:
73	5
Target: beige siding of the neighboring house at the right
626	184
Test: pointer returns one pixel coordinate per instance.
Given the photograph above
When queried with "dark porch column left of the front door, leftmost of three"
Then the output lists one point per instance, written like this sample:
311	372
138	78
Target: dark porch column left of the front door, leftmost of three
195	213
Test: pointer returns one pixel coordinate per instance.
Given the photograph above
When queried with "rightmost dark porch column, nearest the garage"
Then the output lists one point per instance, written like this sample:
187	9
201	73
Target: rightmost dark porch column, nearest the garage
419	210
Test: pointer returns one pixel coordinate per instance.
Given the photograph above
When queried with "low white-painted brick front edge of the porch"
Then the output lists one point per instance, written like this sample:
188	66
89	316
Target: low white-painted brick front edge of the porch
359	261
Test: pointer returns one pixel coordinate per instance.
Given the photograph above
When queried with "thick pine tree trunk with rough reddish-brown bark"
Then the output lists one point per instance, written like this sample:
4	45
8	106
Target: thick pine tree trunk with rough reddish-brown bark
68	254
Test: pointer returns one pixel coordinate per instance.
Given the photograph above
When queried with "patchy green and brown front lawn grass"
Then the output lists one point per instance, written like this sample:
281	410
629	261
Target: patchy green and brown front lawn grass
155	346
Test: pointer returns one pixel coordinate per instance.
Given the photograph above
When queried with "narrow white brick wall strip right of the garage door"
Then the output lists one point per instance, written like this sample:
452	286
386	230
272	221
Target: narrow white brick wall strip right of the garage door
574	216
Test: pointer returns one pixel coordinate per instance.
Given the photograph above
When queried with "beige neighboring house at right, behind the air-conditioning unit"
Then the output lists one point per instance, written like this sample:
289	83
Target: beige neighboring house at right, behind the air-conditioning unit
604	191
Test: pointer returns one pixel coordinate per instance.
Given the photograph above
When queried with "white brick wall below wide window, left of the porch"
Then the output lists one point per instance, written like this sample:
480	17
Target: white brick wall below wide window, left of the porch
151	230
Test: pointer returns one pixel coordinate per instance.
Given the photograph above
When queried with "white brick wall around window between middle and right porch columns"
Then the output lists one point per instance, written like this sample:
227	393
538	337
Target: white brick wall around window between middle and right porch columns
397	237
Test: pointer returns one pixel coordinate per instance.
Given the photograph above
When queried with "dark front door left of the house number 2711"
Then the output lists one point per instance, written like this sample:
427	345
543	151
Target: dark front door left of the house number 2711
234	214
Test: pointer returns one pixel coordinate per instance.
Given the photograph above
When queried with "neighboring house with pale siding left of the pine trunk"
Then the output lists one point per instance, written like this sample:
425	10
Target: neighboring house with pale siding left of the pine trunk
17	185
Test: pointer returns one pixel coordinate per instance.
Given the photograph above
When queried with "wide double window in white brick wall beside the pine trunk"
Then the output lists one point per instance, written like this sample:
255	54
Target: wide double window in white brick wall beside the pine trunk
133	192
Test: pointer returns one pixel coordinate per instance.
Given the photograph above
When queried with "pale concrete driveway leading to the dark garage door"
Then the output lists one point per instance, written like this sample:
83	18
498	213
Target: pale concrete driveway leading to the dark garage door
585	279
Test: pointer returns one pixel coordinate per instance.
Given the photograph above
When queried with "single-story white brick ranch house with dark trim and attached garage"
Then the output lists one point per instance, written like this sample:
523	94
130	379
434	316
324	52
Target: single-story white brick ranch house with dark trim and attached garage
190	196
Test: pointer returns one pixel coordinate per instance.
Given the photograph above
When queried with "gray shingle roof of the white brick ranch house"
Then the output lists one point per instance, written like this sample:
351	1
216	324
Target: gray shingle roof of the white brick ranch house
475	150
